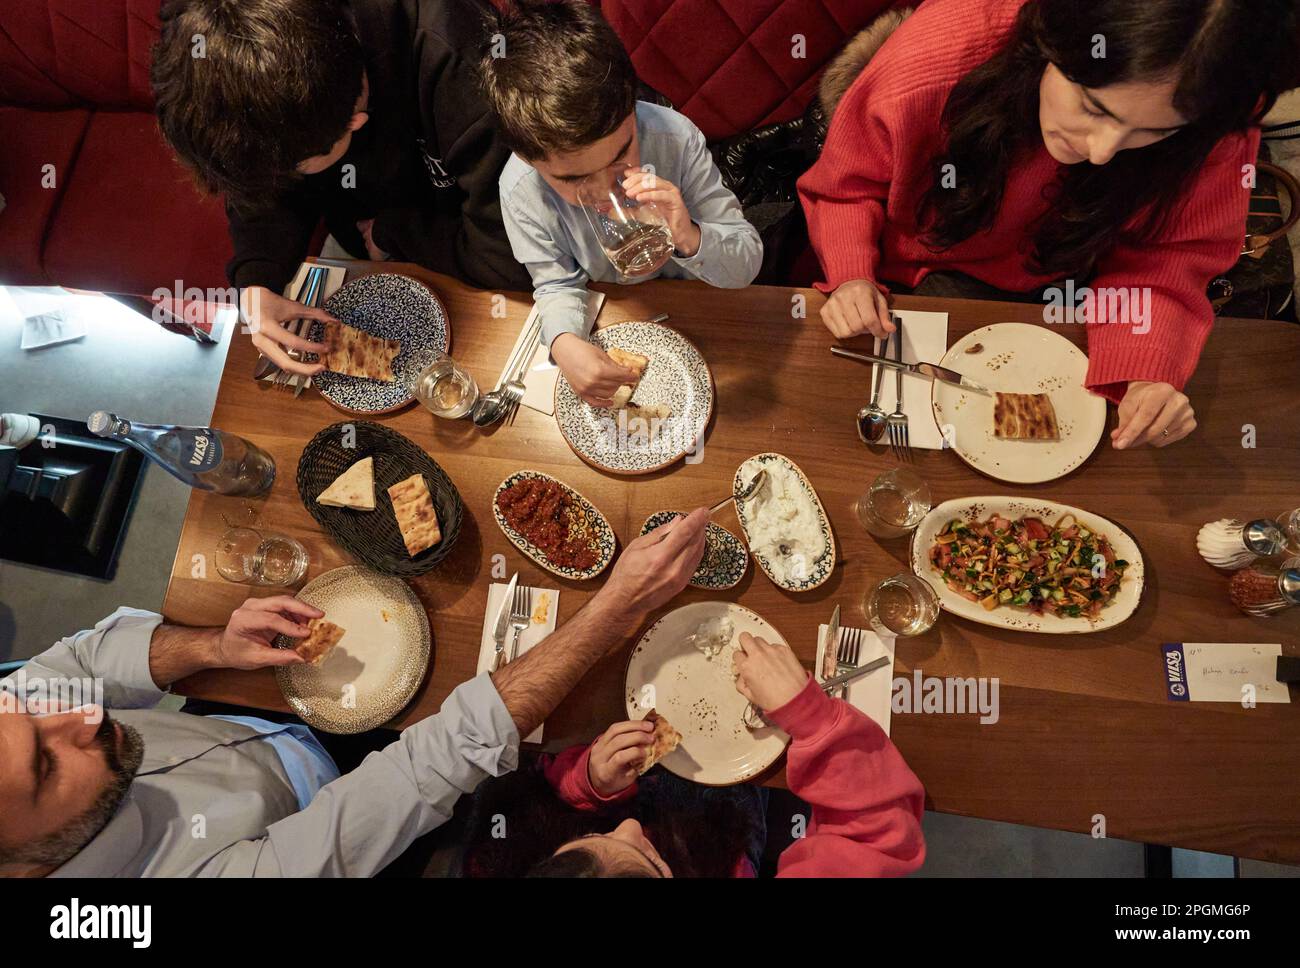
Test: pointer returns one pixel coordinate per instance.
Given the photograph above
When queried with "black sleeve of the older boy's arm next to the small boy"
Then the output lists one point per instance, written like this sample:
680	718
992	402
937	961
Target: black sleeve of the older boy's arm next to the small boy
462	235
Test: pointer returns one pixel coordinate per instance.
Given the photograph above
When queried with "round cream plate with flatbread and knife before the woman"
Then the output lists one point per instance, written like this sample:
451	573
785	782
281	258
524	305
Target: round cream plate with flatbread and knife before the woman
1019	358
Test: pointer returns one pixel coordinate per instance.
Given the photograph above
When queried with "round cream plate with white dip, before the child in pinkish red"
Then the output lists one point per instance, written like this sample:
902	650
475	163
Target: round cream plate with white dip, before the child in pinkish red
699	697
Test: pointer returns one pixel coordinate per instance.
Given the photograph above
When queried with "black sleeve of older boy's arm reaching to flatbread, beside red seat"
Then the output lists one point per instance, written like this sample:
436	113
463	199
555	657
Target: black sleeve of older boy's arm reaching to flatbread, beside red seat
272	242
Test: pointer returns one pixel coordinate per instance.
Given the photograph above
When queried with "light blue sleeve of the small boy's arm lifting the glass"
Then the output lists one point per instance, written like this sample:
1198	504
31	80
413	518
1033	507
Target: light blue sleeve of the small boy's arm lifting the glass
731	250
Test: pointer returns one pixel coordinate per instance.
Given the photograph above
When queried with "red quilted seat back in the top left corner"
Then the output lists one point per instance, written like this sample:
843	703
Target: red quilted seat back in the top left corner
77	53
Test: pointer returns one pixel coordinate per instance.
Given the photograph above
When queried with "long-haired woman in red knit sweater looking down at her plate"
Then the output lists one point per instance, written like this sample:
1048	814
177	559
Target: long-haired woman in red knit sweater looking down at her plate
1028	142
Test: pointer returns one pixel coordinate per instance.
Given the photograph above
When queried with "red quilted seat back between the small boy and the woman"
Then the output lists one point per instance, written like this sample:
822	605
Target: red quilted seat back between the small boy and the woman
730	66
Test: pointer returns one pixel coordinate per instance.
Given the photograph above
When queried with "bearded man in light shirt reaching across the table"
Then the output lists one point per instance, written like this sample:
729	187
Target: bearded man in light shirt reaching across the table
151	792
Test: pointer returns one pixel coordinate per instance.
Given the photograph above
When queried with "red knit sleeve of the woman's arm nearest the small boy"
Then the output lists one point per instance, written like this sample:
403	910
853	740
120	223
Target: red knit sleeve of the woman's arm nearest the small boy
844	193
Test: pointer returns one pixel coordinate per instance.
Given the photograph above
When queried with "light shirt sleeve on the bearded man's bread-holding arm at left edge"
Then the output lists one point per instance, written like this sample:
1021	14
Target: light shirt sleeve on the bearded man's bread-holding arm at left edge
109	665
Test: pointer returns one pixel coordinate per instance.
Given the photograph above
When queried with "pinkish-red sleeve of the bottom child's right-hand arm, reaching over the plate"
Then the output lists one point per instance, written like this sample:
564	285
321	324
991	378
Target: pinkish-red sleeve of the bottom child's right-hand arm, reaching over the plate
866	801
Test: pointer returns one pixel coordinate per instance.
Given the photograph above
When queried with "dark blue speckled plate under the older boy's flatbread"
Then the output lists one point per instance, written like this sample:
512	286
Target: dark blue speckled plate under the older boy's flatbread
391	307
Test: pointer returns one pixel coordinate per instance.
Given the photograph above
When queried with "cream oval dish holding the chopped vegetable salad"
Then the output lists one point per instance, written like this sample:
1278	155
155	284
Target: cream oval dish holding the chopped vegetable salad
1021	619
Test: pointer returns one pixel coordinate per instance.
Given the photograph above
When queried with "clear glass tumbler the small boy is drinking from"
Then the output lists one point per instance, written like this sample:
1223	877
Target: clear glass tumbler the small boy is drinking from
635	236
